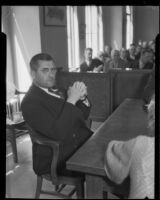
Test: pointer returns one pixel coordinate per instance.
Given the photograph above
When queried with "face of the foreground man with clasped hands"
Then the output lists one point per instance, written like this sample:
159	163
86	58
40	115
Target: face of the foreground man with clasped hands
45	74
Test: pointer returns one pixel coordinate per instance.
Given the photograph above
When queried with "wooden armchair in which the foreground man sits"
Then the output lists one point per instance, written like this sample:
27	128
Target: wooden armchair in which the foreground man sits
59	181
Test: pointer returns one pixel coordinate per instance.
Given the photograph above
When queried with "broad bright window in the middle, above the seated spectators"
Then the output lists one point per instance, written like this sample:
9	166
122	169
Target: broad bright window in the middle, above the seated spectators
94	28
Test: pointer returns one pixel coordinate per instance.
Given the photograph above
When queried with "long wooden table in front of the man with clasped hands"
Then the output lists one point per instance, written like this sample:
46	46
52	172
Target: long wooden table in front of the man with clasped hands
127	121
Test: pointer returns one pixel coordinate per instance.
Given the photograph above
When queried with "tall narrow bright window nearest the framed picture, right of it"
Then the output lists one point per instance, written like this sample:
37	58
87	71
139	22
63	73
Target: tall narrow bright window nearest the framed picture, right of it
73	38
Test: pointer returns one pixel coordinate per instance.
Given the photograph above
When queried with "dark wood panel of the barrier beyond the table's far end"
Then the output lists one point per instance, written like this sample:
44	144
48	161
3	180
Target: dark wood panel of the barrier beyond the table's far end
128	84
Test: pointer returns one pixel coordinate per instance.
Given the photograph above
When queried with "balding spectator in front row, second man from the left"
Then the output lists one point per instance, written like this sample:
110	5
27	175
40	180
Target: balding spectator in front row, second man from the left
115	62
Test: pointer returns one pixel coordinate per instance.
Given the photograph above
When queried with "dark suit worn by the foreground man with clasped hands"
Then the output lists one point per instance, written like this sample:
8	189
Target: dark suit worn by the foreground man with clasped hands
55	119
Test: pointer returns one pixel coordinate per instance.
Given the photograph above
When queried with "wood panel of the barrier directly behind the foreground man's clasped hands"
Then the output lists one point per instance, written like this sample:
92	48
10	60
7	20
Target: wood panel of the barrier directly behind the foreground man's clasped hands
98	86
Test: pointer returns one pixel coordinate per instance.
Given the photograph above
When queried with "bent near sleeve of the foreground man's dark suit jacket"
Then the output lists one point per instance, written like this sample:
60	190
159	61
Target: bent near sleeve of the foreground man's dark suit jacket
47	122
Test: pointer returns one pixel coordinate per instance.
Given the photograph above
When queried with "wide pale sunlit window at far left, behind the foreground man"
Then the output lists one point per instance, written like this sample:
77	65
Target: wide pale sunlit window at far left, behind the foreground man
20	37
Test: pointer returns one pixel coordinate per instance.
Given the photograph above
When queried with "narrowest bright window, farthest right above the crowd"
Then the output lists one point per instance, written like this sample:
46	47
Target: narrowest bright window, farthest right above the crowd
129	25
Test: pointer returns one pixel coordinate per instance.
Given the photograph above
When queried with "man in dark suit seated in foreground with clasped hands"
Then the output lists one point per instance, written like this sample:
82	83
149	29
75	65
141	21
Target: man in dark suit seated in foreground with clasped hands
59	116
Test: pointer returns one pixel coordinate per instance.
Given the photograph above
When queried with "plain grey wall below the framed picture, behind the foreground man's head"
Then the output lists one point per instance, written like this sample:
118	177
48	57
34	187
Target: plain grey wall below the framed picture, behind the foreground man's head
54	41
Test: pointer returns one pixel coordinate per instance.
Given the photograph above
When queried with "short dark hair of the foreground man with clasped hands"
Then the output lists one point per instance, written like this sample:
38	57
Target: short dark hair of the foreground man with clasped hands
41	56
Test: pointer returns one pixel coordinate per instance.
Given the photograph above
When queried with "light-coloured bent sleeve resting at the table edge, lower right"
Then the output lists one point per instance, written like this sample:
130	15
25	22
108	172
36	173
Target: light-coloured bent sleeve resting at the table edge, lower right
117	160
